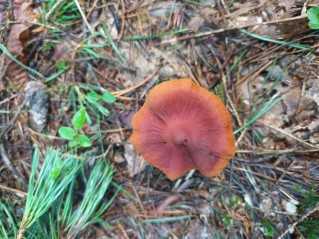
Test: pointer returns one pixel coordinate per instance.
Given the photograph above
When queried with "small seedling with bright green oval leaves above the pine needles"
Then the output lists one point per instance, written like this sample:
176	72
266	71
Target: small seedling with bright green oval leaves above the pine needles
72	134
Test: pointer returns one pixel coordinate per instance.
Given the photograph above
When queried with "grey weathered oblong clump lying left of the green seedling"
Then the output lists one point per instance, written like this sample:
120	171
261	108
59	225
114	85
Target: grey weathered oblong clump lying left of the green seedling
38	101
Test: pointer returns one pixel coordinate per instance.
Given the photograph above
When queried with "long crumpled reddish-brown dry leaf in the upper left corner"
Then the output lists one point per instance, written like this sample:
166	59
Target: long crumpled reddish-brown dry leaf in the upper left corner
18	36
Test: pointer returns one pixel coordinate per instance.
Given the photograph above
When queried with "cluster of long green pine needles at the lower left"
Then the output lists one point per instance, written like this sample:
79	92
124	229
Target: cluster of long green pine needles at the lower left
49	211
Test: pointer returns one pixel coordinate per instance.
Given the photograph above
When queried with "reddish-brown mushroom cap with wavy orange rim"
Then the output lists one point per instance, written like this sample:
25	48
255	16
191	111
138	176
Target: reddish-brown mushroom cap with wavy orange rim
181	127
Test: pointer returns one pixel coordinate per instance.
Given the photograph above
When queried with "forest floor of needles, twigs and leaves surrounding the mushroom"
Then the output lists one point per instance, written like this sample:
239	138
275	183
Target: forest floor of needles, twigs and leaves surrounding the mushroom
58	57
